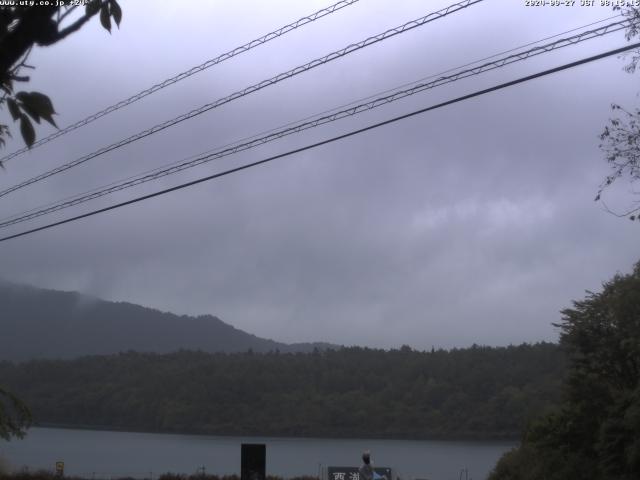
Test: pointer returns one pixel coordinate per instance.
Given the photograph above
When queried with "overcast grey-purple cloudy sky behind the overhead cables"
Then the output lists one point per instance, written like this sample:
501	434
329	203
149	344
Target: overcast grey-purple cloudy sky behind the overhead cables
473	223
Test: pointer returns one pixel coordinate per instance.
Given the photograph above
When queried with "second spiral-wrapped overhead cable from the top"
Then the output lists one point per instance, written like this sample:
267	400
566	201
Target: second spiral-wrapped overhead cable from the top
258	86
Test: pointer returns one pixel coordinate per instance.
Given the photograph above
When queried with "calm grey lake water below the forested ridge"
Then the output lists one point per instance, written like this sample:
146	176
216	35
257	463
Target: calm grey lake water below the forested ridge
104	454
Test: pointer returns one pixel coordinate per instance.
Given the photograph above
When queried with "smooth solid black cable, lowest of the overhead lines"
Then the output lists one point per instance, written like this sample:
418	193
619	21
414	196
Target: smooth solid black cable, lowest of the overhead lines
331	140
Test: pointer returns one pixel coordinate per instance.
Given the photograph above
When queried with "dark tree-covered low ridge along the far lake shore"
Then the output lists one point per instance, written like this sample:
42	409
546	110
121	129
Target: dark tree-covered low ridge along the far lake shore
479	392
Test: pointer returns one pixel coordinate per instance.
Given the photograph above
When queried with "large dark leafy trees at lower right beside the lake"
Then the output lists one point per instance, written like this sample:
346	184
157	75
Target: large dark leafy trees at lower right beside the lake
594	433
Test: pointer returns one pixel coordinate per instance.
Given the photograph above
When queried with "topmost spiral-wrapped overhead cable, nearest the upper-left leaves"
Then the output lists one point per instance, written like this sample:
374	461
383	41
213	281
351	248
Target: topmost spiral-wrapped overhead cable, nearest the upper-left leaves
182	75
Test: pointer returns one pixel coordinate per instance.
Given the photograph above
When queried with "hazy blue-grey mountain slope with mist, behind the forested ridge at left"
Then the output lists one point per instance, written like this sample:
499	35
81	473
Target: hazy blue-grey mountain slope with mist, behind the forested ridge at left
38	323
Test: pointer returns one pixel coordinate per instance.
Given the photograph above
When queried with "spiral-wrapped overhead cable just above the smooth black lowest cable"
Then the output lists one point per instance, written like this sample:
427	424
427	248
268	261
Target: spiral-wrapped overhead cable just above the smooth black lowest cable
305	125
